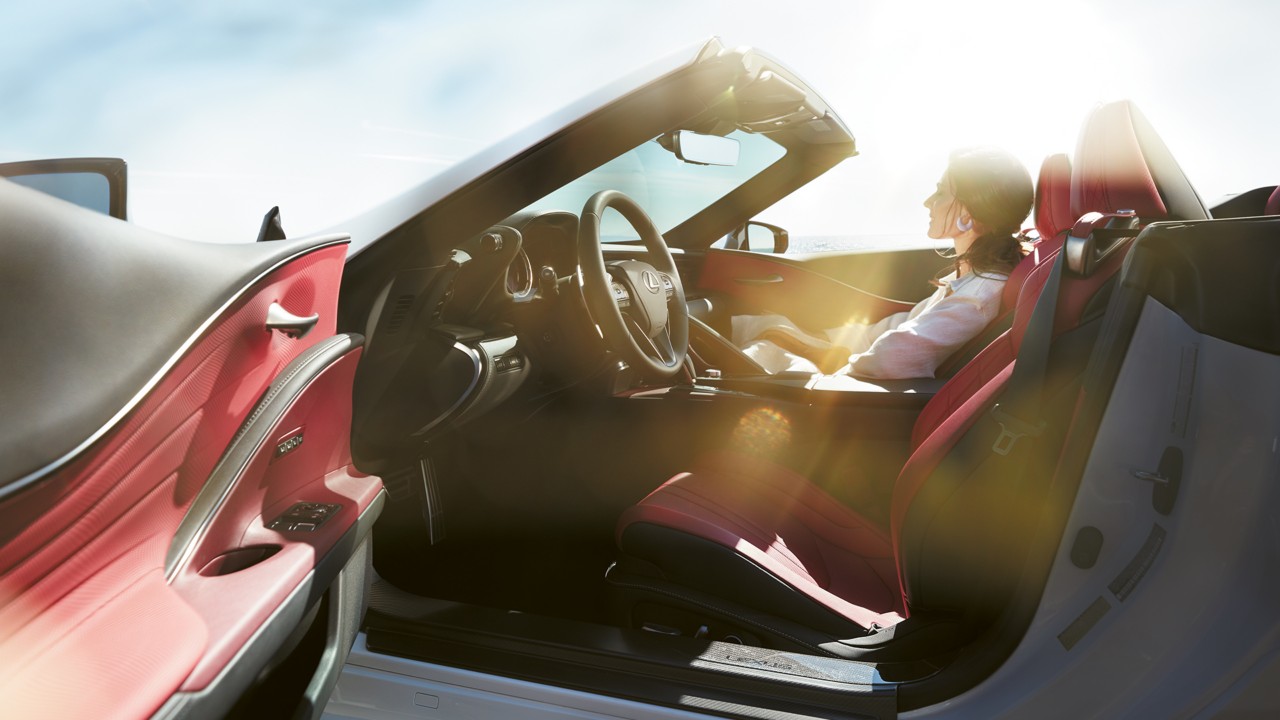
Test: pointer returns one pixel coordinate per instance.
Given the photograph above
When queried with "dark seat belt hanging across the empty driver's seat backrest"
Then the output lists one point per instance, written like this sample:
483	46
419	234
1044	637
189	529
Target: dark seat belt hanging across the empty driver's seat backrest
1020	416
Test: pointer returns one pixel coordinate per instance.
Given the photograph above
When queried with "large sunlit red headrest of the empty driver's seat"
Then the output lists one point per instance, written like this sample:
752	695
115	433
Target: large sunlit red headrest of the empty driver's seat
1122	165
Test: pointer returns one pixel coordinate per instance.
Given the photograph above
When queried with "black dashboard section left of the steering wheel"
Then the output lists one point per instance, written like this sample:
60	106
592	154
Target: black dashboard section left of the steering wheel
451	341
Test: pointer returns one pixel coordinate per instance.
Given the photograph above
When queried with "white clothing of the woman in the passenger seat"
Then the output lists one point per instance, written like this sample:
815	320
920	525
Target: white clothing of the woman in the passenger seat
906	345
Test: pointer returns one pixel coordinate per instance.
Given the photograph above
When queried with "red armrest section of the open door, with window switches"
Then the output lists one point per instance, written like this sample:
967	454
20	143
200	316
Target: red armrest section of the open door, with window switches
239	571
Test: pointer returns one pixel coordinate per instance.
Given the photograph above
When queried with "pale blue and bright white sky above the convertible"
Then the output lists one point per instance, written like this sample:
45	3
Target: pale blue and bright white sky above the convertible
226	108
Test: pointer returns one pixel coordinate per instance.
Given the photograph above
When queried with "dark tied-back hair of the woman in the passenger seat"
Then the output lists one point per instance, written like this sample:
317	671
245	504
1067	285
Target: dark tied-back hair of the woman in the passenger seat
998	192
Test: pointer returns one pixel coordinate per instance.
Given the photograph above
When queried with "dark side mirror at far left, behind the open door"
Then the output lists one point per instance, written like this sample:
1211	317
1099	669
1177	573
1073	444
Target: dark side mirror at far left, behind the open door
98	184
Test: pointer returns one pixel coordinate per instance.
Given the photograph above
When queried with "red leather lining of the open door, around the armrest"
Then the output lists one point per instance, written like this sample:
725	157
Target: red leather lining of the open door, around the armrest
89	625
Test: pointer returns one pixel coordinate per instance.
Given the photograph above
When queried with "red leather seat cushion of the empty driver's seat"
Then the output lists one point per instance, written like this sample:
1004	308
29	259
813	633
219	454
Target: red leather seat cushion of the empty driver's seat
780	522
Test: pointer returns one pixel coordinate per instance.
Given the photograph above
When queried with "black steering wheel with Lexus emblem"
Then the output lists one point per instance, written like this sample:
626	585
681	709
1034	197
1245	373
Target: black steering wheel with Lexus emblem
639	307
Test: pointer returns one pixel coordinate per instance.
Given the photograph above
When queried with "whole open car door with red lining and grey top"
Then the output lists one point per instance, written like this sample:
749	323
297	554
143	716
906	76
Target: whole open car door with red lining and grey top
179	507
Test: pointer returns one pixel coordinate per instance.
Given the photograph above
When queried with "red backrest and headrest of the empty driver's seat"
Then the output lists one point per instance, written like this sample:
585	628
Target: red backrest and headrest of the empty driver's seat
949	521
